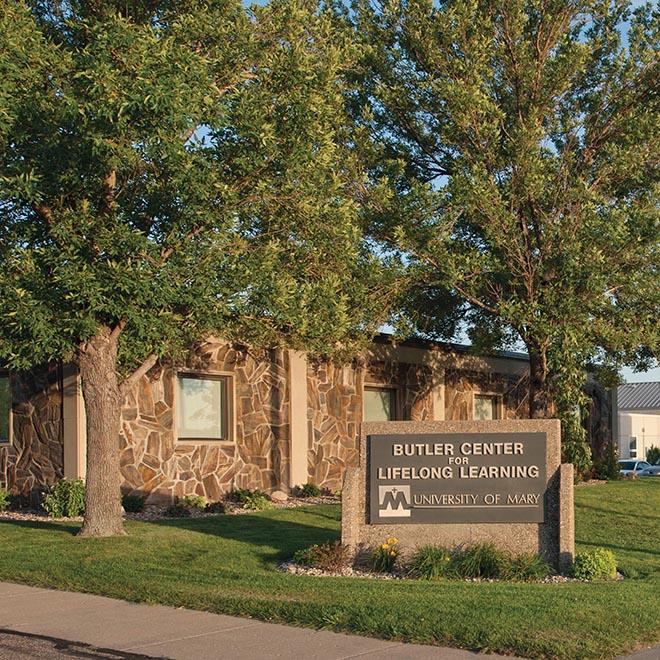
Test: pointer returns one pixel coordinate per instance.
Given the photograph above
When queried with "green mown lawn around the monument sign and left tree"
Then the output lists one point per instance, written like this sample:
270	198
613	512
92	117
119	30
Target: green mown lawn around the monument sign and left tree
228	564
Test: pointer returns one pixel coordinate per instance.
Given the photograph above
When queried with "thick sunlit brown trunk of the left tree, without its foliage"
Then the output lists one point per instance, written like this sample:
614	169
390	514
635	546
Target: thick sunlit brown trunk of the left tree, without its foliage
98	374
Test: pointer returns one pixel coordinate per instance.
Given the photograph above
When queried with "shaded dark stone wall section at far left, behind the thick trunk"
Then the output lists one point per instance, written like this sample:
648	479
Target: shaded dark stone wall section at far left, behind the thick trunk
34	459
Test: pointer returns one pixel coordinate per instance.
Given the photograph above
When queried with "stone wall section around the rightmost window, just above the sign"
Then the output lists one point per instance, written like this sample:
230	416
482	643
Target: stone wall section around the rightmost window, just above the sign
460	384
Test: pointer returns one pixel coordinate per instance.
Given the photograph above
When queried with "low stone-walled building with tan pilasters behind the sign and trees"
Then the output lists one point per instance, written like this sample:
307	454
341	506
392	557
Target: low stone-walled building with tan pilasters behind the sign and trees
233	417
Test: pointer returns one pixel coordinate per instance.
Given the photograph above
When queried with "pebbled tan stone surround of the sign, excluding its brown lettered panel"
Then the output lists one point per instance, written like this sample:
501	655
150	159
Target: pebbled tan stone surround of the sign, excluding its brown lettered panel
543	538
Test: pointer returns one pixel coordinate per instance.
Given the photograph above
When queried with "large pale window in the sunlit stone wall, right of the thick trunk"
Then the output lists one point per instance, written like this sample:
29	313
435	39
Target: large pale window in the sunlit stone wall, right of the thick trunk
203	407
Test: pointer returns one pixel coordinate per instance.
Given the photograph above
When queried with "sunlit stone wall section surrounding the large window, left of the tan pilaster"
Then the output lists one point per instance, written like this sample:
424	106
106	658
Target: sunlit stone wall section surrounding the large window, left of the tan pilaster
154	463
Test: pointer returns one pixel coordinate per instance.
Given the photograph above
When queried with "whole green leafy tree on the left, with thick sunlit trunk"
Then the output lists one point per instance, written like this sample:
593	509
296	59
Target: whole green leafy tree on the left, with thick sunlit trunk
170	169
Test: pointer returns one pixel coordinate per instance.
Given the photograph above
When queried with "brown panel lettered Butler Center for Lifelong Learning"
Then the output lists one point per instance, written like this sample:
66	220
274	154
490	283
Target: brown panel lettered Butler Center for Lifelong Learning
457	478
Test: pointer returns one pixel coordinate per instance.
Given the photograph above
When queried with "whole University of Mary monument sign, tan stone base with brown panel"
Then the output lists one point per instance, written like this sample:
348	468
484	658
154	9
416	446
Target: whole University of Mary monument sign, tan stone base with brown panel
452	483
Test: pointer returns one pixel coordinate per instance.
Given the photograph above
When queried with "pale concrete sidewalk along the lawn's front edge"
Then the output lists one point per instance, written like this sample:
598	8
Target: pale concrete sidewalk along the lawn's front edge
43	623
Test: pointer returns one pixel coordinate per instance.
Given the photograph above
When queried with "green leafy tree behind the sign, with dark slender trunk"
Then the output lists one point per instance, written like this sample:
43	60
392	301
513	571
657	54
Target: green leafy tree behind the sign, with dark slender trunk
521	138
